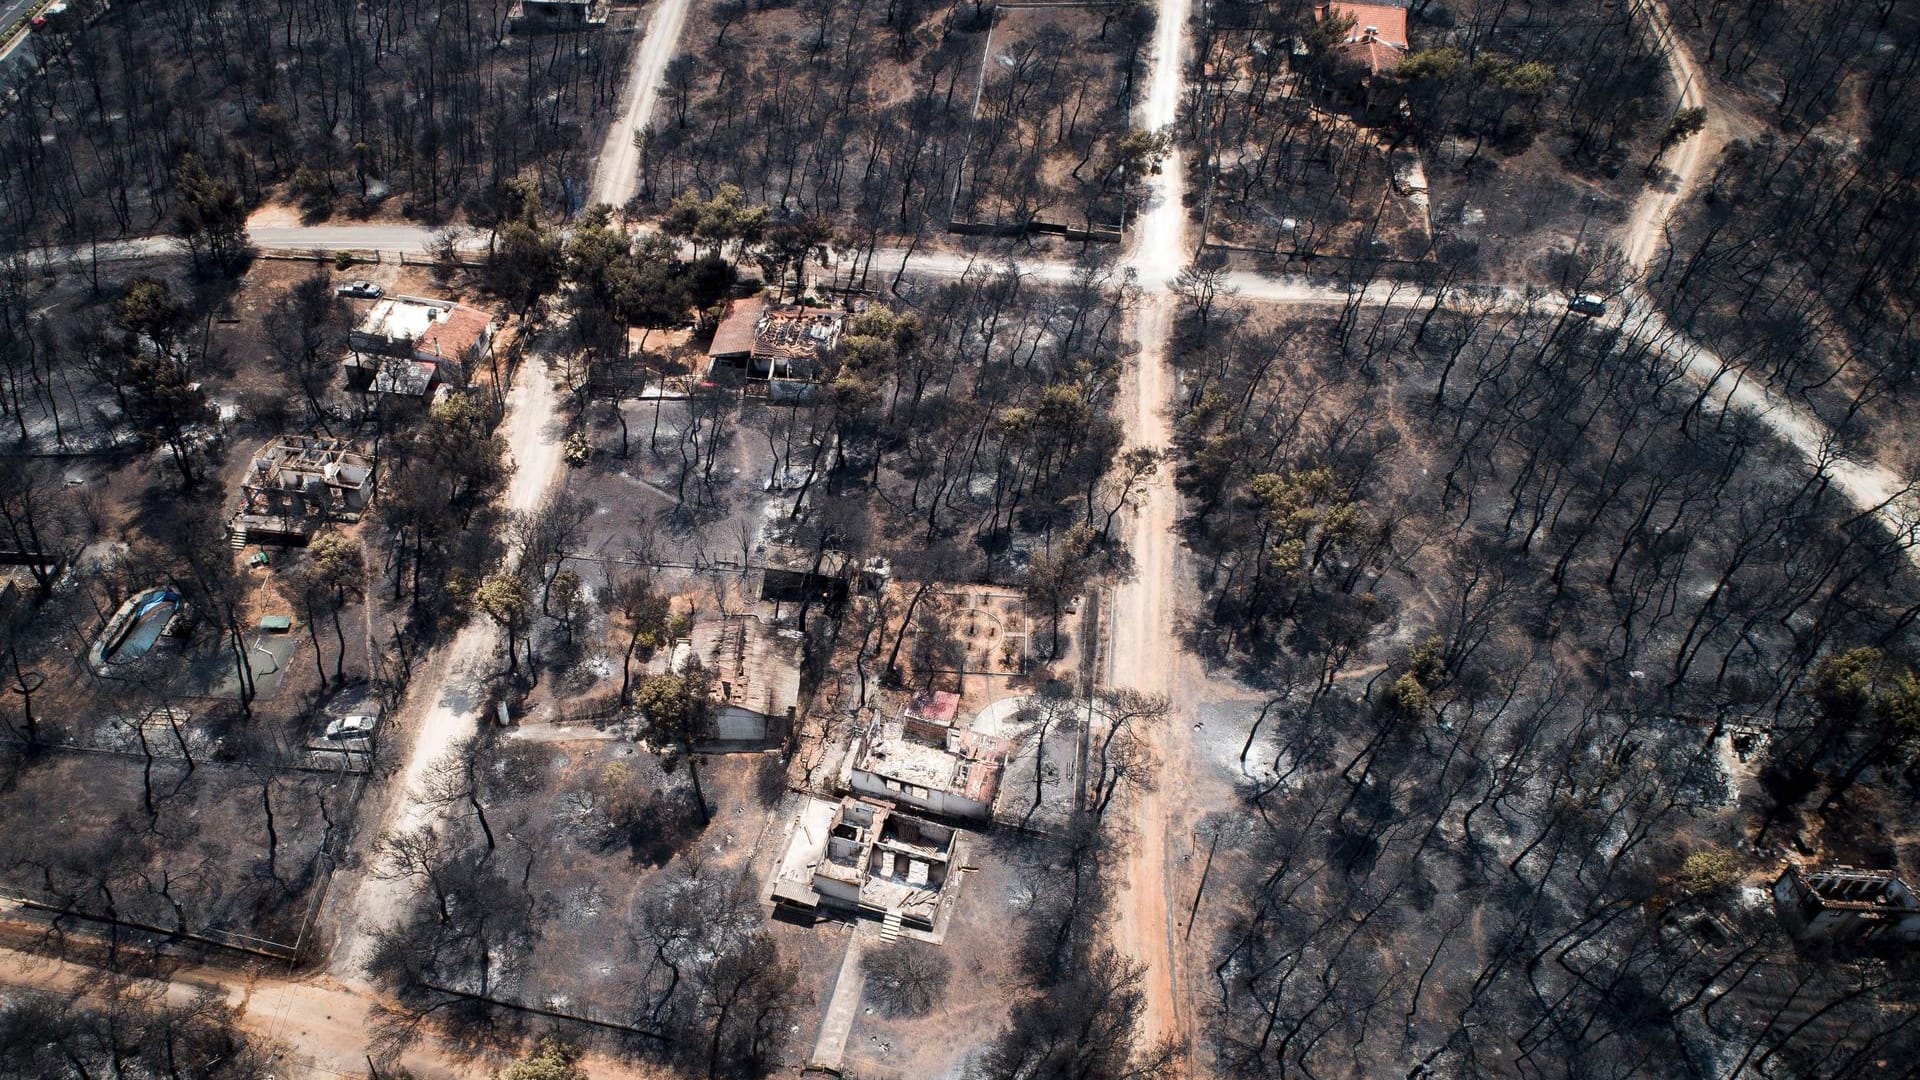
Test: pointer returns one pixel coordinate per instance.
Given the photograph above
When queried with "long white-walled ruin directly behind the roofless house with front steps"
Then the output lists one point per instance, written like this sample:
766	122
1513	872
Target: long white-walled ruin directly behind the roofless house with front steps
928	766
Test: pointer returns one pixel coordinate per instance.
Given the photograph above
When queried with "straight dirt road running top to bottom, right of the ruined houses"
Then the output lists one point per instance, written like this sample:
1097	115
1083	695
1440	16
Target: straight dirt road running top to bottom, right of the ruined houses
1143	639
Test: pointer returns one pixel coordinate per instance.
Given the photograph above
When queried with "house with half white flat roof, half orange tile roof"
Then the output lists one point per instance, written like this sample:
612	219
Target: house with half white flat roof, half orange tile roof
408	345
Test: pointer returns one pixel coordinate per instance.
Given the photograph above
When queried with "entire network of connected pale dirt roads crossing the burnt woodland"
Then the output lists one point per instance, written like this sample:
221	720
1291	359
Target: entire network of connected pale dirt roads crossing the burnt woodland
325	1019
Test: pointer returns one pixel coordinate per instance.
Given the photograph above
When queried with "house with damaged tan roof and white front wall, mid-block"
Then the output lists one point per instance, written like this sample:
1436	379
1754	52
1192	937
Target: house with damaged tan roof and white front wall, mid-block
756	677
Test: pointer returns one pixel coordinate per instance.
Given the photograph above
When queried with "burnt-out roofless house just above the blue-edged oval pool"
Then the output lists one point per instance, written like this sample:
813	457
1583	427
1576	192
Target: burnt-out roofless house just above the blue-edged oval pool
297	483
